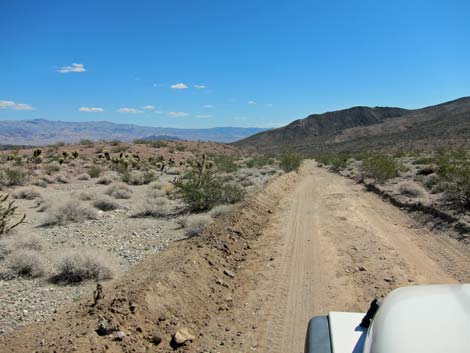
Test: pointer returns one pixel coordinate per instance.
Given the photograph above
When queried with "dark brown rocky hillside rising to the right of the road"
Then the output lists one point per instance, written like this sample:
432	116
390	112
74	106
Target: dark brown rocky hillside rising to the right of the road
364	128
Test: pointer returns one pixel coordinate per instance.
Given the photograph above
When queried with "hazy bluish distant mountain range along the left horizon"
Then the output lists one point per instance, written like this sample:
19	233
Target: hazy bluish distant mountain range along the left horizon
43	132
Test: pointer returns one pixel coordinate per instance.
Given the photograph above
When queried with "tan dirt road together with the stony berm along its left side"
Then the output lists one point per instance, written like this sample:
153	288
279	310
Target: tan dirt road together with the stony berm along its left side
307	244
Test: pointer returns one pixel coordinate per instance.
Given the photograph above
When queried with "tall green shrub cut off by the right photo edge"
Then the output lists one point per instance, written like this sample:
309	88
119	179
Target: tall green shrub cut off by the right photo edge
454	172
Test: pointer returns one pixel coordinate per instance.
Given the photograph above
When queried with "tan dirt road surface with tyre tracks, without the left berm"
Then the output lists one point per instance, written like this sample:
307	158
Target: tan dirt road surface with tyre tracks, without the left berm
337	247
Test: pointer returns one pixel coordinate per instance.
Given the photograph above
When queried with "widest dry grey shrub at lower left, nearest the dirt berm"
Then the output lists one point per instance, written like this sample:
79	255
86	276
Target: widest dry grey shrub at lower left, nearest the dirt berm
80	265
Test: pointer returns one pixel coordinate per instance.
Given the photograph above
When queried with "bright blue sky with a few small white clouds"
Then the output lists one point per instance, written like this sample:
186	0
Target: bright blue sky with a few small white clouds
201	63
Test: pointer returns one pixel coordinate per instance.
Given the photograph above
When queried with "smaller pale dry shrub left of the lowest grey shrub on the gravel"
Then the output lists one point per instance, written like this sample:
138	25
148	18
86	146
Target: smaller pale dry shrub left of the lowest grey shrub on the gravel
26	263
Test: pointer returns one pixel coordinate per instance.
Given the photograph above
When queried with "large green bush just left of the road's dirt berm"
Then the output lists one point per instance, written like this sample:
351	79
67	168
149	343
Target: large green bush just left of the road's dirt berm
201	189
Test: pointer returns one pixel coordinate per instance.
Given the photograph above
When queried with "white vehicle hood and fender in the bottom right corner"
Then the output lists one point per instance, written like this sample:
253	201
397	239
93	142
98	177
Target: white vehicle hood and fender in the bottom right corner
415	319
